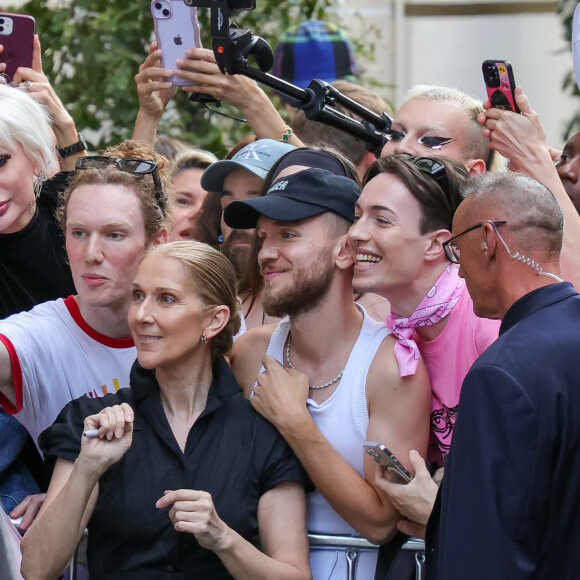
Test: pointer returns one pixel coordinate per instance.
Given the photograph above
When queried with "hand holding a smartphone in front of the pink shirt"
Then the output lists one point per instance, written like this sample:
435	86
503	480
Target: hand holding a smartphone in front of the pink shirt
413	500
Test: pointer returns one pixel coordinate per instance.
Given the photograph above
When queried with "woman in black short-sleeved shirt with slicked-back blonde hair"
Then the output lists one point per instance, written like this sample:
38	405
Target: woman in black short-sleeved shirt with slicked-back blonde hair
177	472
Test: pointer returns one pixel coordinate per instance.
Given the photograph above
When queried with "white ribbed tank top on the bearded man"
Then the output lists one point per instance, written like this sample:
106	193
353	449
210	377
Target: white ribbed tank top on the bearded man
343	419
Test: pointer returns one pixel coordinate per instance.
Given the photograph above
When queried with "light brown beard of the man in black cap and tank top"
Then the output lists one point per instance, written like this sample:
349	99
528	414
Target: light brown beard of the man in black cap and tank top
305	294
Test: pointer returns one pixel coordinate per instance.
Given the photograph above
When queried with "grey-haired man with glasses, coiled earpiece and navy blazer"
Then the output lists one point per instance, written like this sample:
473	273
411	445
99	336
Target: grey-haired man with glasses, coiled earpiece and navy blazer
509	500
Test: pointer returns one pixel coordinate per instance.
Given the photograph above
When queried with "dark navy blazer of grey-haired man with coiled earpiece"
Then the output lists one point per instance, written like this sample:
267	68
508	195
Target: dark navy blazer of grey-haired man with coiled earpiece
509	503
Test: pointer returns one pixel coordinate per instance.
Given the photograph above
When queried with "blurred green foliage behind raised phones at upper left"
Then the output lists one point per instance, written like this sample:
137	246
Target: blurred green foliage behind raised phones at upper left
92	49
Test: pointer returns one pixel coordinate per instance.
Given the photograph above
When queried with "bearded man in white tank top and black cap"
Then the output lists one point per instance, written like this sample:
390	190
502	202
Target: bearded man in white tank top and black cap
339	385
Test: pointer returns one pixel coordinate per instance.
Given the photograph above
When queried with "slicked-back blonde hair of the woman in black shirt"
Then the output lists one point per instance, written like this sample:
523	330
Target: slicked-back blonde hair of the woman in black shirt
214	279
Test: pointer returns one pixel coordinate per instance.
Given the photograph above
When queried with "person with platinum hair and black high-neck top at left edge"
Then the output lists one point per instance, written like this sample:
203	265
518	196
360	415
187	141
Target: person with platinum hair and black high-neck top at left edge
32	259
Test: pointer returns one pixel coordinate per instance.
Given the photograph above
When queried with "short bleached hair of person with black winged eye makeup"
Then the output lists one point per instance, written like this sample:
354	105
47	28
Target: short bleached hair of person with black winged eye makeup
478	145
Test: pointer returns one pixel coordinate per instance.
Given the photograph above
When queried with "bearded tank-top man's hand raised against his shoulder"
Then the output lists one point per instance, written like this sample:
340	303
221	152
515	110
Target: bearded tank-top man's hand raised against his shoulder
280	395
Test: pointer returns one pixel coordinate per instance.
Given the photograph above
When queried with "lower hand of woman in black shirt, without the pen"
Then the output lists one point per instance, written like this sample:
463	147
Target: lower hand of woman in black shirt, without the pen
193	512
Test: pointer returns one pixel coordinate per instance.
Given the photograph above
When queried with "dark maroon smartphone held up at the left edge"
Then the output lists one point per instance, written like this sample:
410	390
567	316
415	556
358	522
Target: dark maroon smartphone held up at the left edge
17	38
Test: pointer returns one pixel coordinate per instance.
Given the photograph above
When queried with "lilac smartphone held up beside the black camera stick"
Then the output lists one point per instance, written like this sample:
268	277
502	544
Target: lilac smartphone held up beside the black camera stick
176	30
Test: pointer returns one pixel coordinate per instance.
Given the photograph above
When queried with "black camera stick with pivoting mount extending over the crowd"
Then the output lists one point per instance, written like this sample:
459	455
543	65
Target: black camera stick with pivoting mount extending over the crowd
232	45
